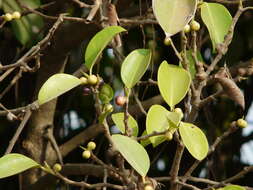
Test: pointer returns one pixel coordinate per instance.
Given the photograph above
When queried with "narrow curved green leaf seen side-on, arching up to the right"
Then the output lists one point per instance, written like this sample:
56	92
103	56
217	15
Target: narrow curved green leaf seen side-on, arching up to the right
98	43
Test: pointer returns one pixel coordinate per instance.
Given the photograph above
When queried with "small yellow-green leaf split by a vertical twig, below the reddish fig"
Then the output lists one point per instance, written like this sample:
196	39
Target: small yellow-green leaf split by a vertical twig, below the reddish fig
118	119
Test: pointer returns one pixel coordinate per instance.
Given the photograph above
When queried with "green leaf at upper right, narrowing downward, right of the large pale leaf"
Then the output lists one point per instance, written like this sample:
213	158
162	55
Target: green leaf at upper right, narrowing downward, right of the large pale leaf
218	21
